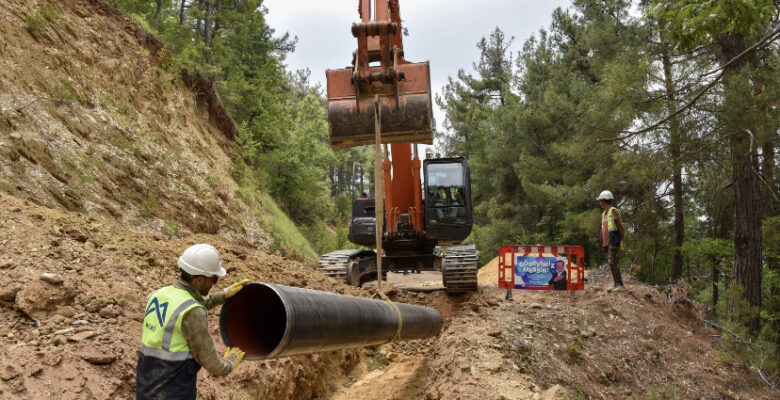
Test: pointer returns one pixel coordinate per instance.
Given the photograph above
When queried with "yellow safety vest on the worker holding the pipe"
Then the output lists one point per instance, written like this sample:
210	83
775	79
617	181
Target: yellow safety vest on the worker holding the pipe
162	337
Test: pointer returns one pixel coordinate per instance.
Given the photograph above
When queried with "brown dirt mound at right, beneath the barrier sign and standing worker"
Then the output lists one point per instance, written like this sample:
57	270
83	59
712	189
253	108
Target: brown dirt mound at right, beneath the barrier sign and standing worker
638	342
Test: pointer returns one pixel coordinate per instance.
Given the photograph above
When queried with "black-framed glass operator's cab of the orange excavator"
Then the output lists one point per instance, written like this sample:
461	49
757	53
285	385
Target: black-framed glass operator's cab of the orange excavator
447	206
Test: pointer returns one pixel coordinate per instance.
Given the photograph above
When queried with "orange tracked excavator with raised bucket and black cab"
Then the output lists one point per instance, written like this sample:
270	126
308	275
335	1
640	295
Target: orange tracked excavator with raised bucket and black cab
385	100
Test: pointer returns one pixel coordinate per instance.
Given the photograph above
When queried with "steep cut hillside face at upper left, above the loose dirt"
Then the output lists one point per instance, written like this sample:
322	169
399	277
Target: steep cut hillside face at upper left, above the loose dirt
93	120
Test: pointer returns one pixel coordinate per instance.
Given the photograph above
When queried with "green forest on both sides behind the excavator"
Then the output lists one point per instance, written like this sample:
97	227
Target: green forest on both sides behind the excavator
671	105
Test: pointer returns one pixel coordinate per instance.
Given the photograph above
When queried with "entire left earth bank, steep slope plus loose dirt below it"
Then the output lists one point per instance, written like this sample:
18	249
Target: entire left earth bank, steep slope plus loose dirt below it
109	167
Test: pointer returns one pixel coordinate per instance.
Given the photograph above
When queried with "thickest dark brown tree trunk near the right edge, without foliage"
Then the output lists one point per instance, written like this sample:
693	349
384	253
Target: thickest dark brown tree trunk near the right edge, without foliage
747	192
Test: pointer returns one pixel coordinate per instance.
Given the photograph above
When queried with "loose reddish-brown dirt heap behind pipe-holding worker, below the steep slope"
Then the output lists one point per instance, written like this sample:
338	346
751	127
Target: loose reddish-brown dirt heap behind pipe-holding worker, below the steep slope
72	305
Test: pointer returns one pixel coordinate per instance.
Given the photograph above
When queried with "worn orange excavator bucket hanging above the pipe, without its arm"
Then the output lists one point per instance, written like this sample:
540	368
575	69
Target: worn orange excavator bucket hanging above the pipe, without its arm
407	118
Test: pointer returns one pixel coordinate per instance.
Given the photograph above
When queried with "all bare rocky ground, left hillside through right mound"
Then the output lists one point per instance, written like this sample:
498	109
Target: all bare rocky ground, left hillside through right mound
110	166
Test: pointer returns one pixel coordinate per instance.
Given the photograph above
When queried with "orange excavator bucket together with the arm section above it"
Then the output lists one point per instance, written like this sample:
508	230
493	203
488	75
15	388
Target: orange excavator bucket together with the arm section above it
403	87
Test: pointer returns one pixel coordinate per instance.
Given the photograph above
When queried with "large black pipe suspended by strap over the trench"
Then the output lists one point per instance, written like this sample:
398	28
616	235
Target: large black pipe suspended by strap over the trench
271	321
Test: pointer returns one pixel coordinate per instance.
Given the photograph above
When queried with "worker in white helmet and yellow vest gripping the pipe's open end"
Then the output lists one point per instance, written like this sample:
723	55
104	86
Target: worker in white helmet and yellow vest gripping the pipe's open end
175	339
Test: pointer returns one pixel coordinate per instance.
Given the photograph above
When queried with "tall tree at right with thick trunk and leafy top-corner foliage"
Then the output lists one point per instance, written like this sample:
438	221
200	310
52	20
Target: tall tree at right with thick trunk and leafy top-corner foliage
731	26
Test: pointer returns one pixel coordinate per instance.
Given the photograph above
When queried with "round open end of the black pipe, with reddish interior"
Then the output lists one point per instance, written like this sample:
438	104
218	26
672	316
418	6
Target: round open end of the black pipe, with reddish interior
254	321
